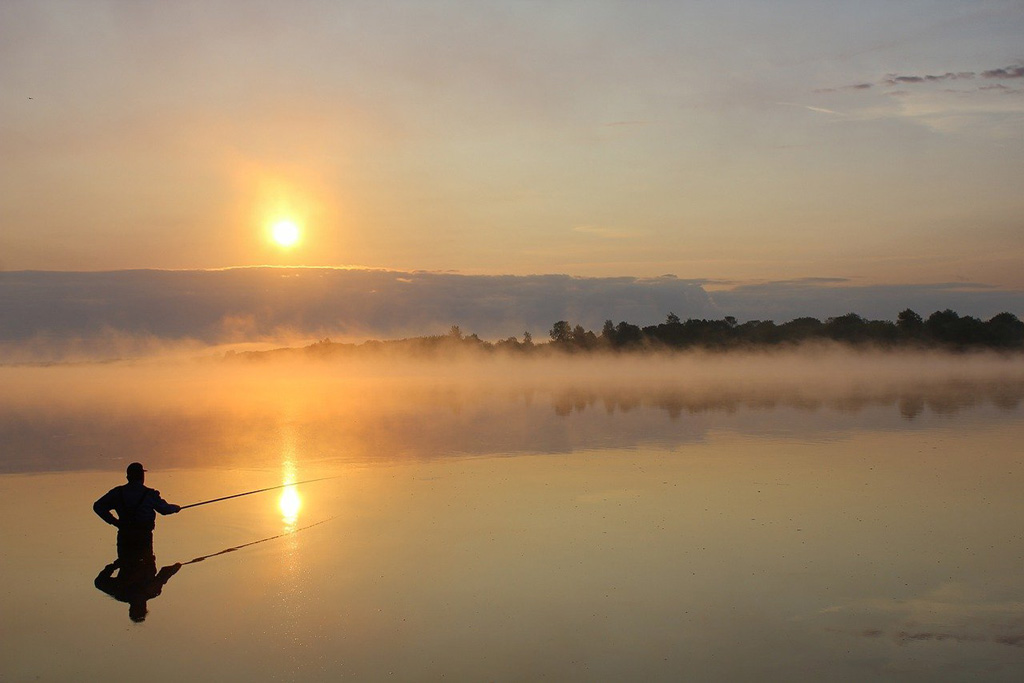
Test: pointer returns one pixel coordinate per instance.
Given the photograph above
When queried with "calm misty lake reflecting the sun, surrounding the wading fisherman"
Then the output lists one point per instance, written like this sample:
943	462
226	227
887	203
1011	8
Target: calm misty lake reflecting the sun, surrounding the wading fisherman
818	517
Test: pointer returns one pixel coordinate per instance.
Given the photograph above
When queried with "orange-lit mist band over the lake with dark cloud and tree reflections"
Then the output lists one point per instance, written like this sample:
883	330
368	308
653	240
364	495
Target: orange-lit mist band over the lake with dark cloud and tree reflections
189	412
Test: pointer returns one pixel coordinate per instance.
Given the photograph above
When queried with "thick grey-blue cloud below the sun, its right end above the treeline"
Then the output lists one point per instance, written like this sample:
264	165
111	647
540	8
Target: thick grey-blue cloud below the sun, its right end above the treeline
266	304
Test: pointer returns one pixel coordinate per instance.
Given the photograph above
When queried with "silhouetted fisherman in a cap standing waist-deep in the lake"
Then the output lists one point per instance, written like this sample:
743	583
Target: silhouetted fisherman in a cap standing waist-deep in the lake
137	506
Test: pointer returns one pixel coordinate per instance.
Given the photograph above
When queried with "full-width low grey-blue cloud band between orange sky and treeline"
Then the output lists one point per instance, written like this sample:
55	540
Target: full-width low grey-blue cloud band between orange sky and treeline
48	317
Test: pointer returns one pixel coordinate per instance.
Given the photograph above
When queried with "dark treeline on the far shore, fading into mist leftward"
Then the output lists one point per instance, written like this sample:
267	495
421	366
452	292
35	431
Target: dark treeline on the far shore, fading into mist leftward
944	329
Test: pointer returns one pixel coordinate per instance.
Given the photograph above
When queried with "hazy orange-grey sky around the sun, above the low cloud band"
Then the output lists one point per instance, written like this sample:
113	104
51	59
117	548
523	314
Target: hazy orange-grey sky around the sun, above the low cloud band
733	142
